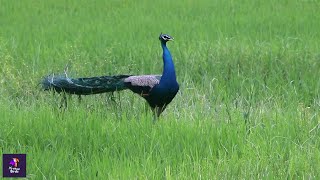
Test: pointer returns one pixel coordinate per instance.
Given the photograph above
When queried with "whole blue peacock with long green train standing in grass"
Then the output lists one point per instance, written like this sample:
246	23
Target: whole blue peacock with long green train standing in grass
157	90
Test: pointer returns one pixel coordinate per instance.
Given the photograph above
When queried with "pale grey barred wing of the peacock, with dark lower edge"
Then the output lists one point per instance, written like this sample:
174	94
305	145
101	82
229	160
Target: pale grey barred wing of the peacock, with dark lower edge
143	84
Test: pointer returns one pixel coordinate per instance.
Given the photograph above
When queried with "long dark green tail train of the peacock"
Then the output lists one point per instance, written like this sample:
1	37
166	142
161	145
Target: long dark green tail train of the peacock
84	86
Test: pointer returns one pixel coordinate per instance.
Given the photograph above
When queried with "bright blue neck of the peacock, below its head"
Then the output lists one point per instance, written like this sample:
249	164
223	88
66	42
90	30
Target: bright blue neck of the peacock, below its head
169	74
